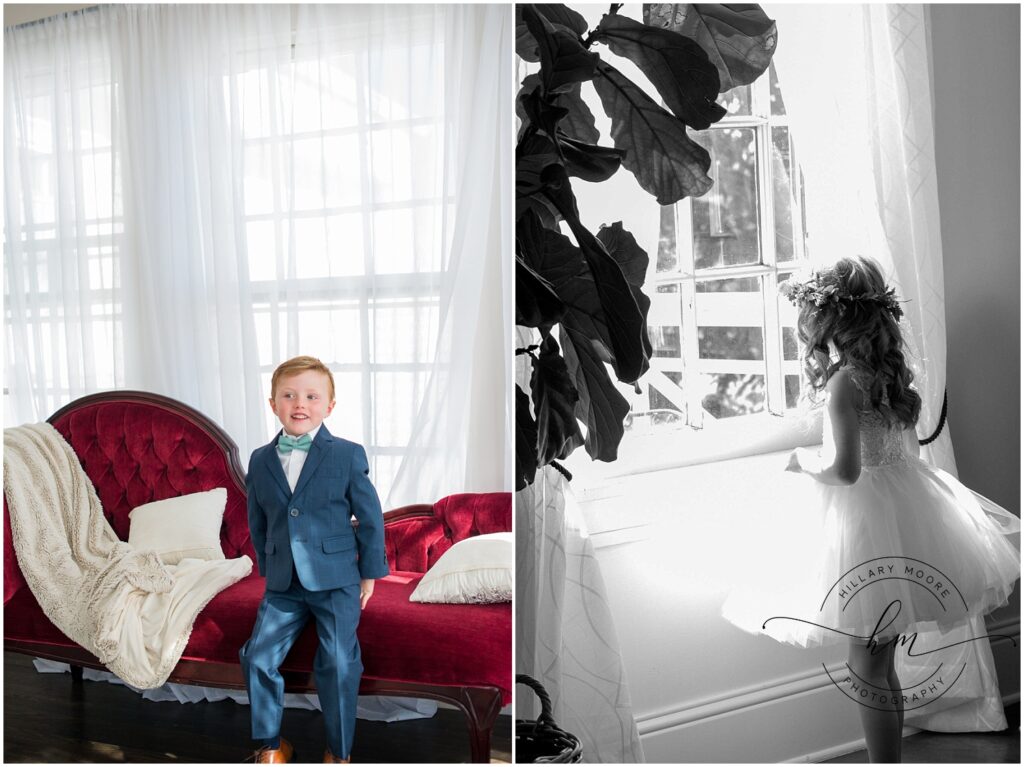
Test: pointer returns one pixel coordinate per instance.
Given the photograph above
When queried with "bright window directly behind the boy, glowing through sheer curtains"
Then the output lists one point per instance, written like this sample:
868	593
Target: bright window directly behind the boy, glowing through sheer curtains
346	224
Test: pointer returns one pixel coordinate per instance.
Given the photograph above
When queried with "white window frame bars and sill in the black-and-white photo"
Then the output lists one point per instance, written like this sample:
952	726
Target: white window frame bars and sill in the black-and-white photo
700	440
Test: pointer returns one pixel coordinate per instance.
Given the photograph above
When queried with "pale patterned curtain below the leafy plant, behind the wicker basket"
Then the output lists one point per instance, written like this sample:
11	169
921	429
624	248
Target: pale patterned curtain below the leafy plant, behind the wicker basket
566	635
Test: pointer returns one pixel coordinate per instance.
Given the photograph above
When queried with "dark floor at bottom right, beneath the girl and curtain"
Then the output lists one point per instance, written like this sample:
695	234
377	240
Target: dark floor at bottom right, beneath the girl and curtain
963	748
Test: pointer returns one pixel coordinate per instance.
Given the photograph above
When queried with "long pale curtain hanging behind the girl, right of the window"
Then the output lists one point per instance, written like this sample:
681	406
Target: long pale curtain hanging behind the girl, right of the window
857	84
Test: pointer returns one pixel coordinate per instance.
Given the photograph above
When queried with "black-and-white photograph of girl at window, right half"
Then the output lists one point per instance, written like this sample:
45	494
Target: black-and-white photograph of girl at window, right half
767	383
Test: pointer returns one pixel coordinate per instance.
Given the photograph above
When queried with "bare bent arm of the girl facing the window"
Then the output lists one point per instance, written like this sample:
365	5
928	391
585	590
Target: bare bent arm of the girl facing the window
841	399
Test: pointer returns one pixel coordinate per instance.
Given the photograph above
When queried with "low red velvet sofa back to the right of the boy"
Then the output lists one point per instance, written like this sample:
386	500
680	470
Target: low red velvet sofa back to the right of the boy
415	543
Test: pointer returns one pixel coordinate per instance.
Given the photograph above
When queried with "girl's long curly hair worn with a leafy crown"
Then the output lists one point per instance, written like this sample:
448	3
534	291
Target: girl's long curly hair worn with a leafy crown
866	335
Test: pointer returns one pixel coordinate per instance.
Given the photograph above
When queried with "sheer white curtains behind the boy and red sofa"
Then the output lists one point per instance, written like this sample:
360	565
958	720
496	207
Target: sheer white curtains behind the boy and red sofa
195	194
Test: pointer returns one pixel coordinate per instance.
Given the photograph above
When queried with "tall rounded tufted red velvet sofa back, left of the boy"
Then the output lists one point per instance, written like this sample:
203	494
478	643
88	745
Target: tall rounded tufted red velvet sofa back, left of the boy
136	453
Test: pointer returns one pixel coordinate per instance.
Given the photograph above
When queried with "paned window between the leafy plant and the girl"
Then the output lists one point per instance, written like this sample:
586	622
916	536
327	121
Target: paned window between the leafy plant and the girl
724	344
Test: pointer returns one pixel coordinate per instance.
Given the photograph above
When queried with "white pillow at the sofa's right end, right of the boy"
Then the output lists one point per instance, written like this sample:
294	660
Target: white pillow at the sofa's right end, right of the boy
477	571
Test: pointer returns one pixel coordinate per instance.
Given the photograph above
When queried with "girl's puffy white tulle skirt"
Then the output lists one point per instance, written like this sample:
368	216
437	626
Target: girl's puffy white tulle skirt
905	549
